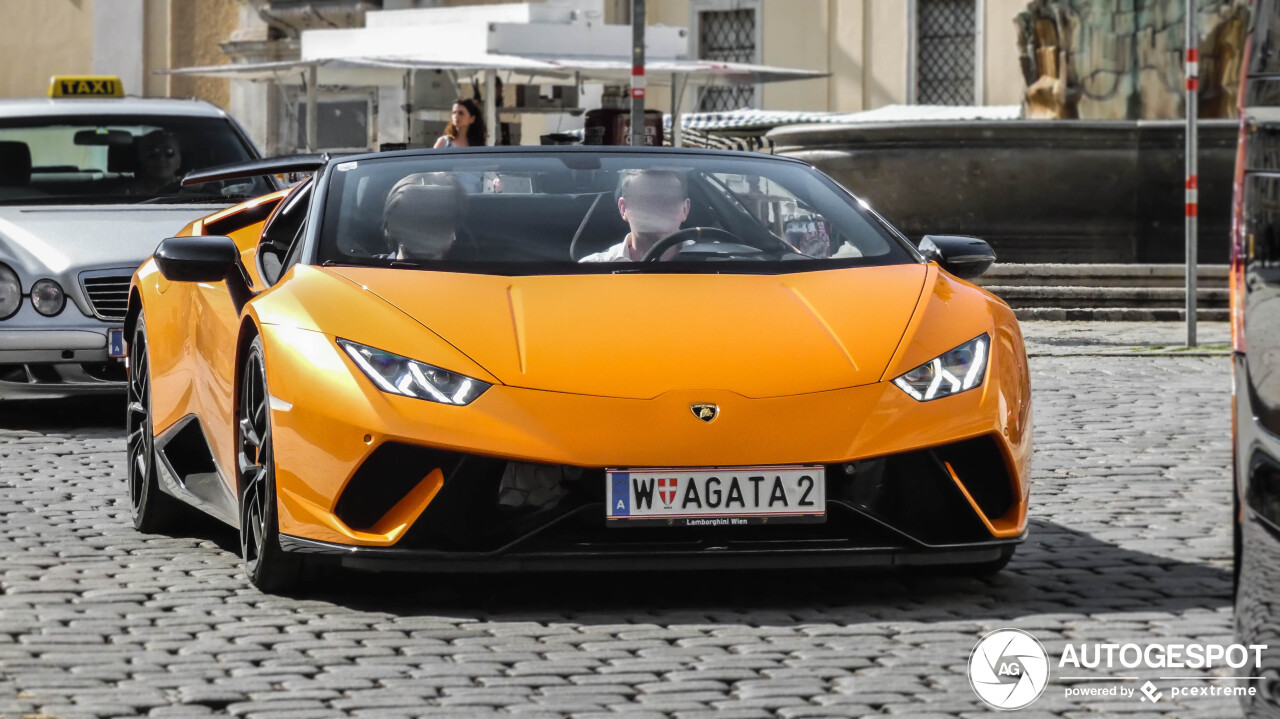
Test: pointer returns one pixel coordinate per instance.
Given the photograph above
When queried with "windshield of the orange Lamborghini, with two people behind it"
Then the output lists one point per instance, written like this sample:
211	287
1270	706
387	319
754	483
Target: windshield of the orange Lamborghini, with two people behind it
579	212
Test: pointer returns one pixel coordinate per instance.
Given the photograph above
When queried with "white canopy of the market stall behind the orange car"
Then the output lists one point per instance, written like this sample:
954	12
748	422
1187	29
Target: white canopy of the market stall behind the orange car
525	40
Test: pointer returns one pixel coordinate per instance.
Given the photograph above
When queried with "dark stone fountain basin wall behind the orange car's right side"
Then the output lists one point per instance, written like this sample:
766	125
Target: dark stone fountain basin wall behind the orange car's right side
1039	191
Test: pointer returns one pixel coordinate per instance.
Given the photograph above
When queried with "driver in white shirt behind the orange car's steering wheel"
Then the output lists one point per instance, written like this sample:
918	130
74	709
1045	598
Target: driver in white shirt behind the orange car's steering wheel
655	204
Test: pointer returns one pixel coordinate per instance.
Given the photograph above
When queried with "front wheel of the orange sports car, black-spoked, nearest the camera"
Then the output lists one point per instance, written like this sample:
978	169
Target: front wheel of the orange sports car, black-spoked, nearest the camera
267	565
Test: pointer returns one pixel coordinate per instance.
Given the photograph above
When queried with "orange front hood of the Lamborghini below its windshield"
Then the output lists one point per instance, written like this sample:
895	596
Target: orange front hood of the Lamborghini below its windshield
638	336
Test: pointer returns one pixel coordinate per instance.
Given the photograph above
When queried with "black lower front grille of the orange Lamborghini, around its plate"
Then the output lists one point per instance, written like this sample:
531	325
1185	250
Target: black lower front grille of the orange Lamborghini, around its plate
906	500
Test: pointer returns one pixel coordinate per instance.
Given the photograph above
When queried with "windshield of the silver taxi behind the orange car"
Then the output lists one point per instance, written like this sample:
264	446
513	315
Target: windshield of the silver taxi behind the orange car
120	159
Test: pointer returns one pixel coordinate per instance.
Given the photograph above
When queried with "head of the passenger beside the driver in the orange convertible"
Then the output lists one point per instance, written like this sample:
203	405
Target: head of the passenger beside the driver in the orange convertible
420	217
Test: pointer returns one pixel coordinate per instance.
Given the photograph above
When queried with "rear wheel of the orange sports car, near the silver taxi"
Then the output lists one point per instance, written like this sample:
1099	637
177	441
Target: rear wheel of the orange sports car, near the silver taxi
152	510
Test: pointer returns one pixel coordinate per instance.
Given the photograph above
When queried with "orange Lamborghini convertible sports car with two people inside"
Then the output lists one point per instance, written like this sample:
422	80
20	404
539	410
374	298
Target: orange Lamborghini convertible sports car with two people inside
586	358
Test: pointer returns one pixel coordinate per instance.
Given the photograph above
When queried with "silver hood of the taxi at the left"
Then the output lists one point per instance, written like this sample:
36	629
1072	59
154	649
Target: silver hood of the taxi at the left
61	241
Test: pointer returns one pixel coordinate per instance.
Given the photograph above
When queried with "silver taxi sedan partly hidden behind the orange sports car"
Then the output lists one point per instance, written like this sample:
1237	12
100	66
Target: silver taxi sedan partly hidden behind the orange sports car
89	187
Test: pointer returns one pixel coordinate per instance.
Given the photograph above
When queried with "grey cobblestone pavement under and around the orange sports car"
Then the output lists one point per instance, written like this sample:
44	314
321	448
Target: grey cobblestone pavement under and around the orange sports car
1130	541
